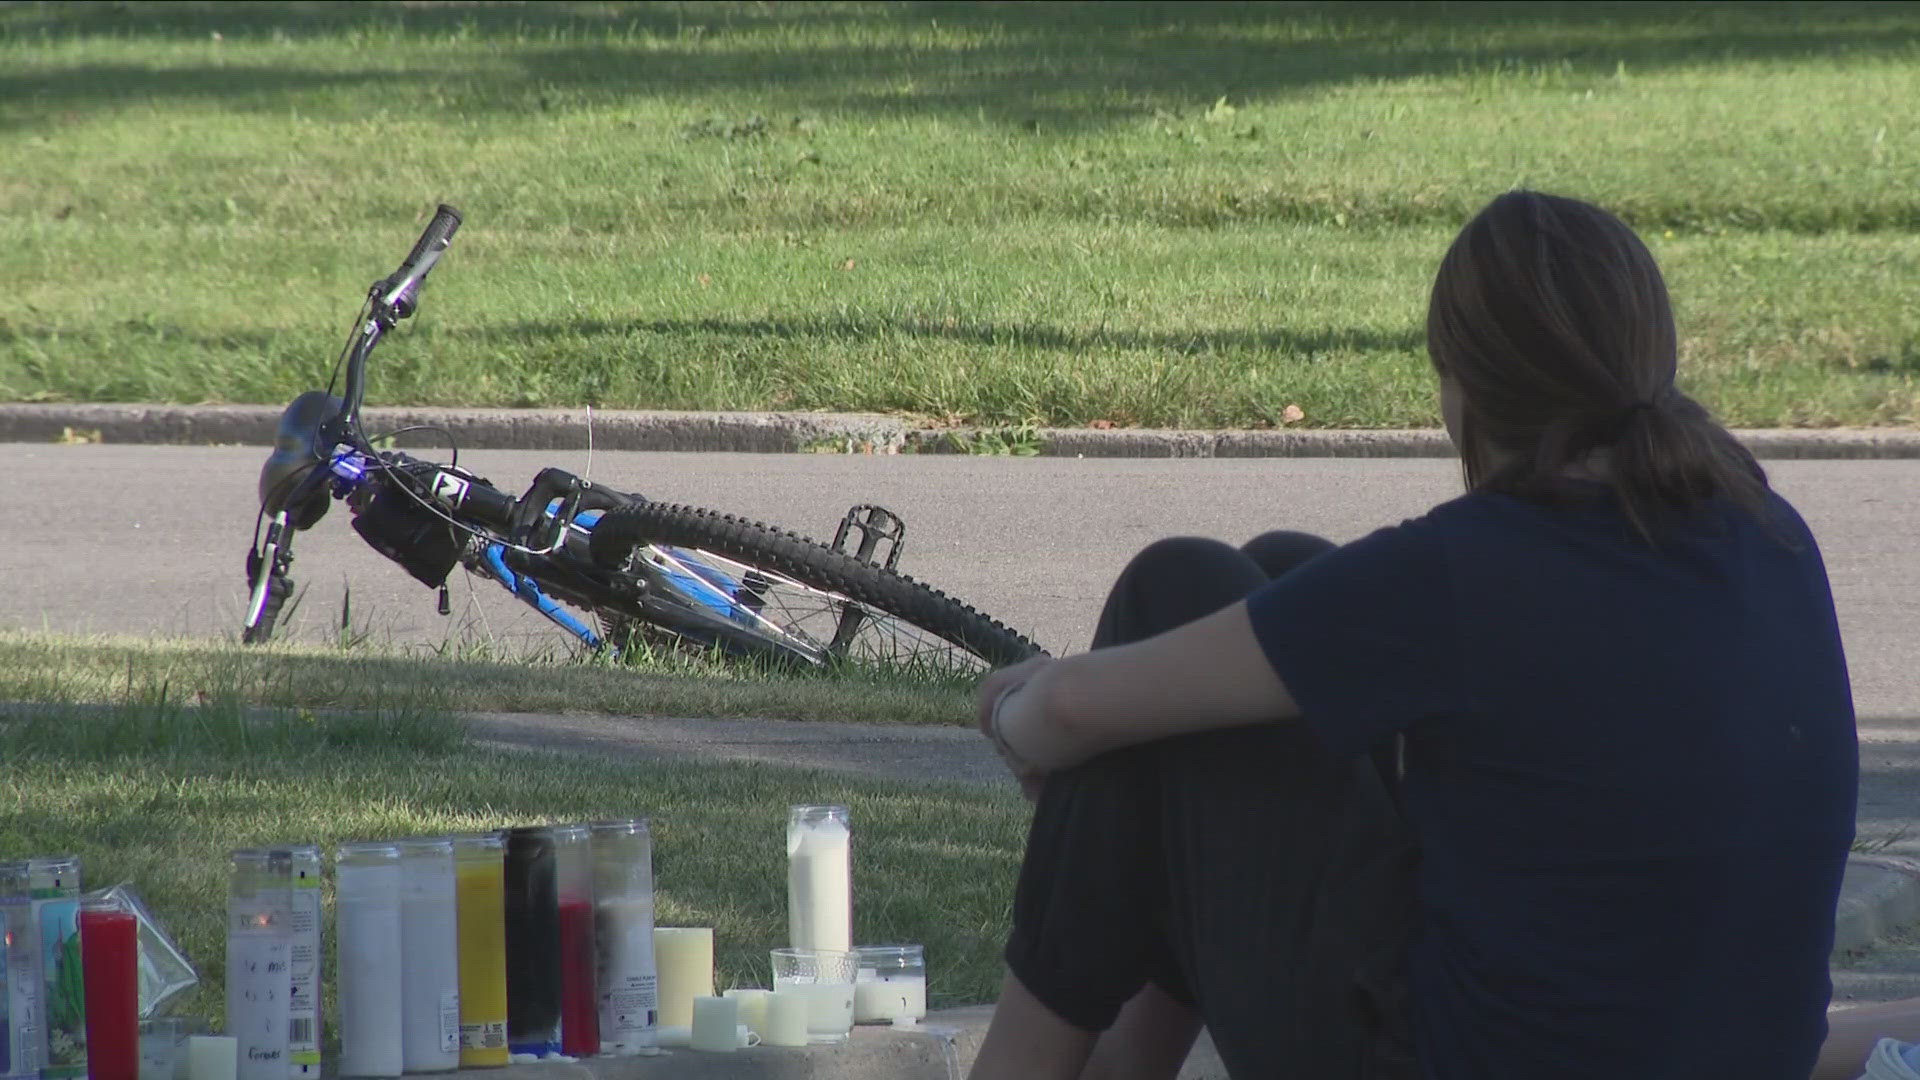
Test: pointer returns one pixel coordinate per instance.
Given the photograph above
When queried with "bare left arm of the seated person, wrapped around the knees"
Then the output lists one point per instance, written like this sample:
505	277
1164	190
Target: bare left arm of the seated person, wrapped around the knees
1199	677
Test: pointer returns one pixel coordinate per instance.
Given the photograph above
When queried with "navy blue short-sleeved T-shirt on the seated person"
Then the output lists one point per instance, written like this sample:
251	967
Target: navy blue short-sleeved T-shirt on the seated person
1631	773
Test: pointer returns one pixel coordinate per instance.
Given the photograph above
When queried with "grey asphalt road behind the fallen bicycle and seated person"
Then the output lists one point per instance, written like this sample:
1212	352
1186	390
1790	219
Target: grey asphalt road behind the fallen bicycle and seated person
153	539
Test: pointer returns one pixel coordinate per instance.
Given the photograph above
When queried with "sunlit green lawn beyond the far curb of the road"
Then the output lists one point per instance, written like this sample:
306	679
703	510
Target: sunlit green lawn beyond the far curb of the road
1149	214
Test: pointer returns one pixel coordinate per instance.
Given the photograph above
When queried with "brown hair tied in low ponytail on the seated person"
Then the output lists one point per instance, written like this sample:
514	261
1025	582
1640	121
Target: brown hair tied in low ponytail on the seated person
1552	320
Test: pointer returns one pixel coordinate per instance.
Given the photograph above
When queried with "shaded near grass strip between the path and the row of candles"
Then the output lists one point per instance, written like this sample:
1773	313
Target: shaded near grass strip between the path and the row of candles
156	795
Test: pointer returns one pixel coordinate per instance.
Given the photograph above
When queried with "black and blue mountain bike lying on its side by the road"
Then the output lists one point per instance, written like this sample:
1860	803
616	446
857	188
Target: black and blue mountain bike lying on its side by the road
640	570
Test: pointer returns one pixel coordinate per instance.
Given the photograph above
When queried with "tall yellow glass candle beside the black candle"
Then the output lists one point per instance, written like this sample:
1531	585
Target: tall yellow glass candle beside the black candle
479	877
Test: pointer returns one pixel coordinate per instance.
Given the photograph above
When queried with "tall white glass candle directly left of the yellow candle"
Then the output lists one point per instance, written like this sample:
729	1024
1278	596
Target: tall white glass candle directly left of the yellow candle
429	948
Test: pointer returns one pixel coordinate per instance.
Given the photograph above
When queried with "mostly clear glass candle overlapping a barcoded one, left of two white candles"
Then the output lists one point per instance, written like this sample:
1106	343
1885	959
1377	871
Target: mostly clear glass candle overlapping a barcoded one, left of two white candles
260	962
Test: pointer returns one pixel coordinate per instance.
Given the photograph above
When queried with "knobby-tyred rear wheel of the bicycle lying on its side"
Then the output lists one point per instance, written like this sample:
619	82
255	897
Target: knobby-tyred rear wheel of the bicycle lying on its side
804	599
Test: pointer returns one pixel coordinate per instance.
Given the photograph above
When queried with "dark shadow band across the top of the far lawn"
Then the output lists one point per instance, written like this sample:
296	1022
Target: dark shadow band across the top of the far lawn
1026	64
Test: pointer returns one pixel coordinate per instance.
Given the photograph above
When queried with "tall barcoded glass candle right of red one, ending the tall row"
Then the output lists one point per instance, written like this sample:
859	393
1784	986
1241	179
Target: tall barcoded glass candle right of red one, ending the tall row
623	931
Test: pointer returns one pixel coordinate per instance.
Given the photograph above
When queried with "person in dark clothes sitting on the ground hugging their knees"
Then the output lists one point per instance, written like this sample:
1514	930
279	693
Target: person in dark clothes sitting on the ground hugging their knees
1552	781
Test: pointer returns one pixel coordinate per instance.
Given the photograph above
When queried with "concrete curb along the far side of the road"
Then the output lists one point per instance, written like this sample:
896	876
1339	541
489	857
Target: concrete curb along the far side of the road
823	433
